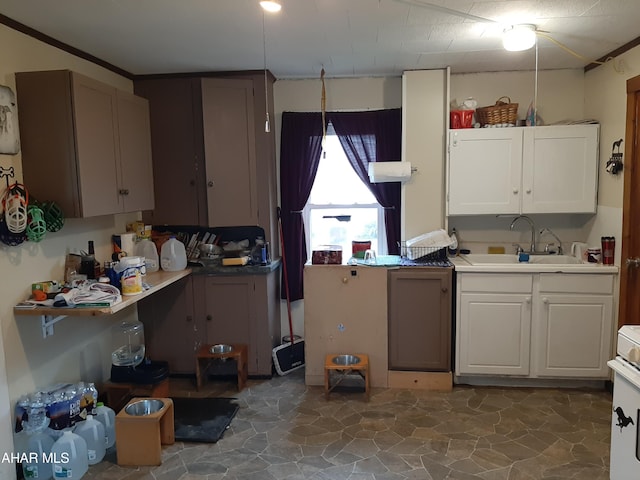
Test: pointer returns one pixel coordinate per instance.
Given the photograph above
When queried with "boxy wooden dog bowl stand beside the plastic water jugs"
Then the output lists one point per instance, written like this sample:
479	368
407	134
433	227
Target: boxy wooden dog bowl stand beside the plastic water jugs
139	438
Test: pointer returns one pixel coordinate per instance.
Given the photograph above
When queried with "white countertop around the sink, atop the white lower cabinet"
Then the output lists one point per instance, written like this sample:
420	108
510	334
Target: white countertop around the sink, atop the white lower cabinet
461	265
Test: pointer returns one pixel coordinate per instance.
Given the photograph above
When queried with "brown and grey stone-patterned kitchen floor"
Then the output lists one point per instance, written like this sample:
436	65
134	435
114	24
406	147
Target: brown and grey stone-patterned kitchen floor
286	430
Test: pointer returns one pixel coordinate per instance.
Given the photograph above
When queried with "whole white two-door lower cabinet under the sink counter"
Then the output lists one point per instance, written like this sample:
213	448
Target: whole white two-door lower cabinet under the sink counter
534	325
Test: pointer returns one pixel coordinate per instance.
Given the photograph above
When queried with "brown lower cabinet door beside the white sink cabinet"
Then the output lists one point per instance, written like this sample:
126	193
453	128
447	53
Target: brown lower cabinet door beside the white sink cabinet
420	319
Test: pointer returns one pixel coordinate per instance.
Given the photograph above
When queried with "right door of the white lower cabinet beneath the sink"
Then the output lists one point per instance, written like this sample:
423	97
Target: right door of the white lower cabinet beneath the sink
574	335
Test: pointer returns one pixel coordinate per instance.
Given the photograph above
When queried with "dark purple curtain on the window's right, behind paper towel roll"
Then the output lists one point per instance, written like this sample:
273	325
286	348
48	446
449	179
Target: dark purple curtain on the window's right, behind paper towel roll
374	136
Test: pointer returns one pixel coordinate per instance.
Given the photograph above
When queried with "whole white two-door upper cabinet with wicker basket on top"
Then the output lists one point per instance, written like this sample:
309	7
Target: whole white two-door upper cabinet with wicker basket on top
523	170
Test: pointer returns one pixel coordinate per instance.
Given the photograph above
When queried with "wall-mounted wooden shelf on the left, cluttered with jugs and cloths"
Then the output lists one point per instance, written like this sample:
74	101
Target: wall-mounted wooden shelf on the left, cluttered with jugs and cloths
51	315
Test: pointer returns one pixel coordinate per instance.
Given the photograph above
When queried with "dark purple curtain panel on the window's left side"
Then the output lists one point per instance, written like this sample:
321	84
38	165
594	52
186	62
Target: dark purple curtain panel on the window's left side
300	148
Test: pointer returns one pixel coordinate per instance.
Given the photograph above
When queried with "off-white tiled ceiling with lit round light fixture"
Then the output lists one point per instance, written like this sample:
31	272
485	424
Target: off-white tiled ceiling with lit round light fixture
348	38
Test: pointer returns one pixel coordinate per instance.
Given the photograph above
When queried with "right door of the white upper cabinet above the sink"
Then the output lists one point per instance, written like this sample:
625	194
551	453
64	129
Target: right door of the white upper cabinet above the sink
560	169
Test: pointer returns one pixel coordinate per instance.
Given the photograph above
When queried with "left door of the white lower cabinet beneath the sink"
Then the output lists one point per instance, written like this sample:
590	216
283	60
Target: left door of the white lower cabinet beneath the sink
494	334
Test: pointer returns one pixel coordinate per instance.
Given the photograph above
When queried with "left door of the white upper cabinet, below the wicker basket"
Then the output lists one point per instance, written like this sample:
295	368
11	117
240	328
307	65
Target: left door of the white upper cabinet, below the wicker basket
485	167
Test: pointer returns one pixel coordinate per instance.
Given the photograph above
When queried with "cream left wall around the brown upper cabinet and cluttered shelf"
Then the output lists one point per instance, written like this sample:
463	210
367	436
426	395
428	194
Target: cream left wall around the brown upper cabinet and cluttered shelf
81	347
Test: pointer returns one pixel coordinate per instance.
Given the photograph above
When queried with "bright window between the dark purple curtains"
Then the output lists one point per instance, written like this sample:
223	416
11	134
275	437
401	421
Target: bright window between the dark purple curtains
341	208
